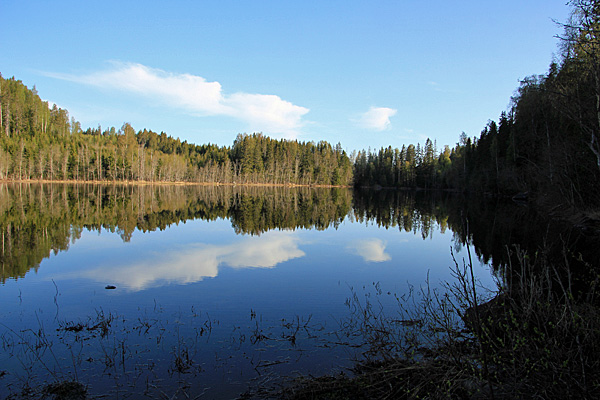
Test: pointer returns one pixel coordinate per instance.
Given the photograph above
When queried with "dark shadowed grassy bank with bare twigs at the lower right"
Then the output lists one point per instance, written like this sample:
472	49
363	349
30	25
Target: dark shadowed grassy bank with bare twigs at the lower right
534	337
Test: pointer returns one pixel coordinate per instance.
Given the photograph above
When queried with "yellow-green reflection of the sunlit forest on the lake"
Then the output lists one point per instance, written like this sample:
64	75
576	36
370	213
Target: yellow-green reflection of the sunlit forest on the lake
38	220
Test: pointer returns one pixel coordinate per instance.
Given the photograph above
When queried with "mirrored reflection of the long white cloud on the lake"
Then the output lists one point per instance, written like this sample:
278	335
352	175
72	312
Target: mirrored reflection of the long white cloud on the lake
195	262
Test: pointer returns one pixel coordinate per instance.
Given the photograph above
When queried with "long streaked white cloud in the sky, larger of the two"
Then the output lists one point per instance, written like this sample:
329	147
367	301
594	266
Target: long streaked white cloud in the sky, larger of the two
266	113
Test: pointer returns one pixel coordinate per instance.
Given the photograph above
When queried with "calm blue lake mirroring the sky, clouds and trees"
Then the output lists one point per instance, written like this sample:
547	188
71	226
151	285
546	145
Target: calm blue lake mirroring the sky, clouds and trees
154	291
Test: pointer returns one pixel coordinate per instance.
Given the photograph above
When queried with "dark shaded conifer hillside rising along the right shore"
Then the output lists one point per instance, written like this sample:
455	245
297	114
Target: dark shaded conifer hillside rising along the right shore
546	144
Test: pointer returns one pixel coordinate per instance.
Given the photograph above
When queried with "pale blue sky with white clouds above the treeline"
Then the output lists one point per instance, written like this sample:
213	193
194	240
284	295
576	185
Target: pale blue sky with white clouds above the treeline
365	74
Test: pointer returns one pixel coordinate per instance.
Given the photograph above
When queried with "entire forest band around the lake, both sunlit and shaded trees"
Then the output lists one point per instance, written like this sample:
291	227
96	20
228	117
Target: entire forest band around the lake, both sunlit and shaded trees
546	145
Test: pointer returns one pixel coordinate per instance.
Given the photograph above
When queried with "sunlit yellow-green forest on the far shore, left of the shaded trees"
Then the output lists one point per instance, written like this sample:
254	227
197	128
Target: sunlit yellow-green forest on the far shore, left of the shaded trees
40	142
